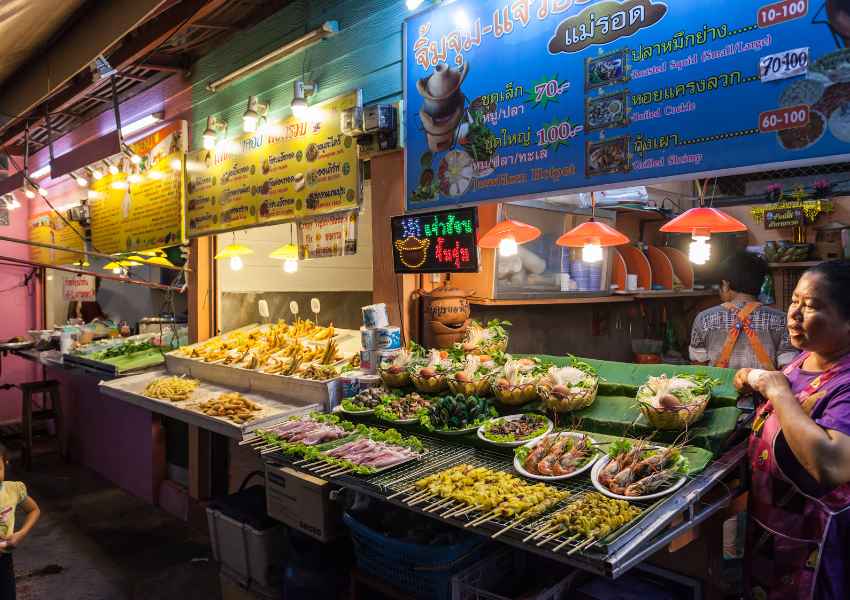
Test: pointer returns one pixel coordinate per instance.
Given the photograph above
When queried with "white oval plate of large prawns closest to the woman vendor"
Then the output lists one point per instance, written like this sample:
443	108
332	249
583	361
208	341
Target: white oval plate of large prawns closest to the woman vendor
647	484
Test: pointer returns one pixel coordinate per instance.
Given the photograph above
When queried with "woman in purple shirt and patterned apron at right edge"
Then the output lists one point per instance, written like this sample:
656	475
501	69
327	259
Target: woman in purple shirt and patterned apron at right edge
798	539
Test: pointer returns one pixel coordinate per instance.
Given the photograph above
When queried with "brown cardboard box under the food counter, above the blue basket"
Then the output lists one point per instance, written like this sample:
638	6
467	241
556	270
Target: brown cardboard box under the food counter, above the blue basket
303	502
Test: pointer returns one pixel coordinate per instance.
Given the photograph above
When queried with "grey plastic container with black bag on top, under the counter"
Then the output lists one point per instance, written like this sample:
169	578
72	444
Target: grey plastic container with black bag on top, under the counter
244	539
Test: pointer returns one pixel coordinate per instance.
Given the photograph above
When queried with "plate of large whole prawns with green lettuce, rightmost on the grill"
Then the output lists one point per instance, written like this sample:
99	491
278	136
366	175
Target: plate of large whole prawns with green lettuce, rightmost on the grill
635	469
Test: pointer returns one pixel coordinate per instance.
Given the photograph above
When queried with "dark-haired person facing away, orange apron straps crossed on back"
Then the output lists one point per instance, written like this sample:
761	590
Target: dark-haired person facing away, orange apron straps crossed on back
741	333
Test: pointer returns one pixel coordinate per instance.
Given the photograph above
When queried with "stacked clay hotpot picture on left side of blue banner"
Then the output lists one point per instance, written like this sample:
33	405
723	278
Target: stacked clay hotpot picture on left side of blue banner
443	104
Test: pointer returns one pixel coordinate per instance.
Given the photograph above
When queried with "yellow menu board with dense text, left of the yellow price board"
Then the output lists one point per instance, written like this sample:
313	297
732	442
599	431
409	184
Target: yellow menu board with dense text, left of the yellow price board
140	207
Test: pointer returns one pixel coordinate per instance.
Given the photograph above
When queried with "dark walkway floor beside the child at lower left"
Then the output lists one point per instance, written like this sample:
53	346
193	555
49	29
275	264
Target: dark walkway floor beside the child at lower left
96	542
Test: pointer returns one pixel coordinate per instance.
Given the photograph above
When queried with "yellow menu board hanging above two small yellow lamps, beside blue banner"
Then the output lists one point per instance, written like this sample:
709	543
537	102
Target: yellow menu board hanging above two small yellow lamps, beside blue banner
294	169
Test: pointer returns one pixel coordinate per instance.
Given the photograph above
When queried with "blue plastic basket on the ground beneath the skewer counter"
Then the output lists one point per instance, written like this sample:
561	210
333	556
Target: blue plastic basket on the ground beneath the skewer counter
423	571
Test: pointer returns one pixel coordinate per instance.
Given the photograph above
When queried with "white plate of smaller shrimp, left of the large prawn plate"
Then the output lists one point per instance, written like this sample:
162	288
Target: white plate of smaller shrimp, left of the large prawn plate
564	454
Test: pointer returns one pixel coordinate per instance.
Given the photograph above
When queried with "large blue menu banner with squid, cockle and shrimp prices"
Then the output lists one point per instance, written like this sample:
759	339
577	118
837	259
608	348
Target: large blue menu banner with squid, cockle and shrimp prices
523	98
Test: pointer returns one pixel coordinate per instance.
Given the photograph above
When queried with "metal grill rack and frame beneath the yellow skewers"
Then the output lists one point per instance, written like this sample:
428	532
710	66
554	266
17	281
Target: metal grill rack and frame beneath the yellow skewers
702	496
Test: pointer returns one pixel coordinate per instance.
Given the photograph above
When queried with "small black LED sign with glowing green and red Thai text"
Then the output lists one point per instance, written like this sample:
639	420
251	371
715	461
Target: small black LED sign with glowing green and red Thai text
438	242
